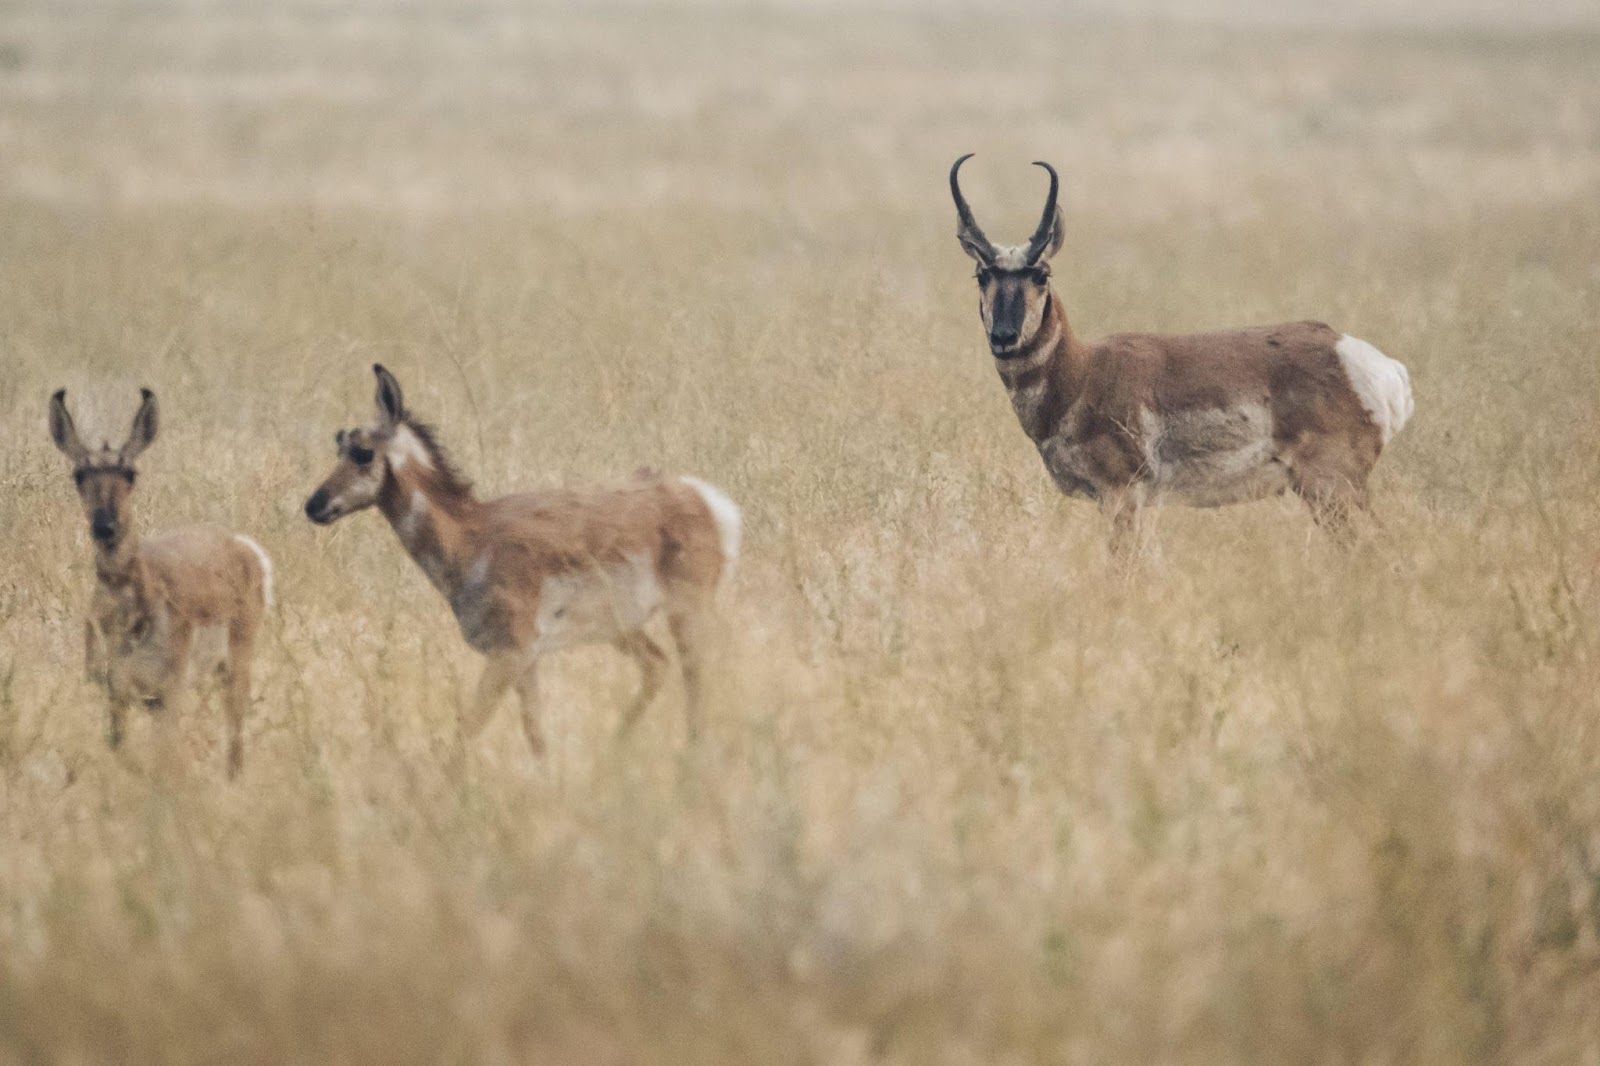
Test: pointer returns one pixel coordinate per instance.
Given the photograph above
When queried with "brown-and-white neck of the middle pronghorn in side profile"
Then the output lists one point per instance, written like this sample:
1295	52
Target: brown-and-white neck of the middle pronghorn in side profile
436	523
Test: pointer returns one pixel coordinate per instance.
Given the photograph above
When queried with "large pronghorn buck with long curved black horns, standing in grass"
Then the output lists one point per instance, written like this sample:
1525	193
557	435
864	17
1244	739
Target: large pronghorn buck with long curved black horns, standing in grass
1201	419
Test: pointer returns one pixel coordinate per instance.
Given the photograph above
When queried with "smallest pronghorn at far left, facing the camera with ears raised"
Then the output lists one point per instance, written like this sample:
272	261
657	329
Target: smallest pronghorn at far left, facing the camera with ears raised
166	609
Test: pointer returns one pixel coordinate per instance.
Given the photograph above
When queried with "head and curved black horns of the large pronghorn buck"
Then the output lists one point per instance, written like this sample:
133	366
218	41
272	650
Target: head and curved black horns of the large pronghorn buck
1014	283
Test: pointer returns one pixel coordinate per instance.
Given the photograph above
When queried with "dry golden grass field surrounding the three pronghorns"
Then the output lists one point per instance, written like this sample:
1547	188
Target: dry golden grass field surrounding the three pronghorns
969	793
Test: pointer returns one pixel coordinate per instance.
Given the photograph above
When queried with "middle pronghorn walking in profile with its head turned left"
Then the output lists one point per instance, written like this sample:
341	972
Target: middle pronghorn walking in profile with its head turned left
532	574
